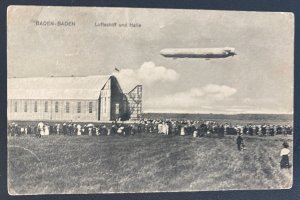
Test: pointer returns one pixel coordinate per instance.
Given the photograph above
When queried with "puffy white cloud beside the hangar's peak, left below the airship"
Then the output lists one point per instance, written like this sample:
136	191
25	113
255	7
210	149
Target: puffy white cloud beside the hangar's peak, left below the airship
147	74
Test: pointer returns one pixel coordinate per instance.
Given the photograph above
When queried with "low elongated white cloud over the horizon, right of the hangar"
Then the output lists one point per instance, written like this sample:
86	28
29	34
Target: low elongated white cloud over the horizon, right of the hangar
191	100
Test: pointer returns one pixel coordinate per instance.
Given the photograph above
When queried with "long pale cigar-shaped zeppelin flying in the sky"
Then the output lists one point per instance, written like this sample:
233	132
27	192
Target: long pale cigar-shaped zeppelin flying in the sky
206	53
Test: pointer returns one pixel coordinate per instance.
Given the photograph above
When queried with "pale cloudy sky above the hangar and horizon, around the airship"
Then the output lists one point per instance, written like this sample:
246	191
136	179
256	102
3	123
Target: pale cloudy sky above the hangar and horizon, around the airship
259	79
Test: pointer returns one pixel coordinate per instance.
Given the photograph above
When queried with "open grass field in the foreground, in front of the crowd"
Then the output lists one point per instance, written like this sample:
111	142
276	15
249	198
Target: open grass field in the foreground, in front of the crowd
143	163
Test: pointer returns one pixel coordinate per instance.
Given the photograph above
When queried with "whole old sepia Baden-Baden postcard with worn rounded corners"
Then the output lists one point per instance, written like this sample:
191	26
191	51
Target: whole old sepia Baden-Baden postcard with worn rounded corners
144	100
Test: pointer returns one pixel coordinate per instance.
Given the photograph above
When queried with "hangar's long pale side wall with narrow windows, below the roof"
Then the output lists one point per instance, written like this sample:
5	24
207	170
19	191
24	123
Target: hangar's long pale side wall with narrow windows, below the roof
57	110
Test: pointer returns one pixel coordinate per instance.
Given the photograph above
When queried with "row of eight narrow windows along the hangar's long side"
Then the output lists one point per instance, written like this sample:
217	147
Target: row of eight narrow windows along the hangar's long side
56	107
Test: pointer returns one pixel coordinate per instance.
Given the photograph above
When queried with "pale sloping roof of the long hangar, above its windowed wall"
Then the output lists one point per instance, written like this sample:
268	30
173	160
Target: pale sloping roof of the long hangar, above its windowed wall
87	87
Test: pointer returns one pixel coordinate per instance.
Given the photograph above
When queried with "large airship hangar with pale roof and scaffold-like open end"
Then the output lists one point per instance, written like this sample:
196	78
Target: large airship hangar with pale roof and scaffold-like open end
76	99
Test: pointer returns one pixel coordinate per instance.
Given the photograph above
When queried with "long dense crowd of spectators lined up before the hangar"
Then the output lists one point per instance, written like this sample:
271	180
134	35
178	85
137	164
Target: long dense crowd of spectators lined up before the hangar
165	127
